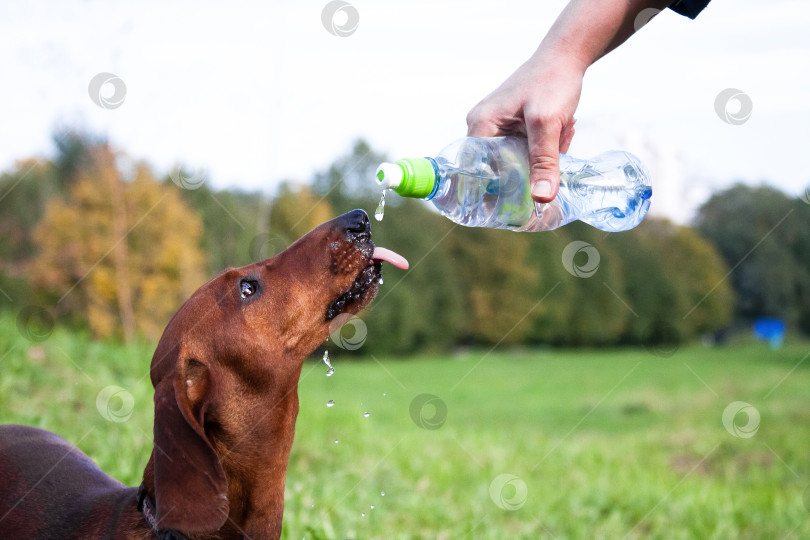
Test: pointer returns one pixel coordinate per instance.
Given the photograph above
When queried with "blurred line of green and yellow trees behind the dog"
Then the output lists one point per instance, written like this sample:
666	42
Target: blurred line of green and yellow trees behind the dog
101	242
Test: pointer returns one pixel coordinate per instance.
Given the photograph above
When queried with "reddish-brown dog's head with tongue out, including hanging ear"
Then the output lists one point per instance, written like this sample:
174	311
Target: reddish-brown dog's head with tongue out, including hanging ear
242	338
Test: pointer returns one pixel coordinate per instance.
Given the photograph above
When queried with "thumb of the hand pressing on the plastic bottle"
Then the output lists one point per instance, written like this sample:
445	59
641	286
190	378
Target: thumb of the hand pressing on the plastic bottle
544	163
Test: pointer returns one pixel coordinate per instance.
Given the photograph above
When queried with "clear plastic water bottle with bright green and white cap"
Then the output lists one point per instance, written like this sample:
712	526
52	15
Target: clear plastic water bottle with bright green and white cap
484	182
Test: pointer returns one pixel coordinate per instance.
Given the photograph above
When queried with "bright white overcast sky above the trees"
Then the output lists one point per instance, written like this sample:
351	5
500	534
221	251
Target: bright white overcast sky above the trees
256	92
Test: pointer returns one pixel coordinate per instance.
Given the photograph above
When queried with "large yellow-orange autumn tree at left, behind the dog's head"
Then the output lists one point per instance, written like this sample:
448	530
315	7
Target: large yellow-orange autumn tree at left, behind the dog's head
119	255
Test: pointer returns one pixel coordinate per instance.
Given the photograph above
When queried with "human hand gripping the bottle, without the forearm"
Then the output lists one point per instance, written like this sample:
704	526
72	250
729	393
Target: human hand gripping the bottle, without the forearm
537	101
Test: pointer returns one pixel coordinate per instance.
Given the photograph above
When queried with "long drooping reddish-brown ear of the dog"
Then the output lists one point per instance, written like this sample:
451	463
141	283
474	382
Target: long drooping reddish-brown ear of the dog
190	483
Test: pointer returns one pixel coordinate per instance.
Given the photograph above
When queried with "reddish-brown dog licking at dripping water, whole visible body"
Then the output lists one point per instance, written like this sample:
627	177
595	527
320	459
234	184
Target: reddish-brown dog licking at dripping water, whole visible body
226	375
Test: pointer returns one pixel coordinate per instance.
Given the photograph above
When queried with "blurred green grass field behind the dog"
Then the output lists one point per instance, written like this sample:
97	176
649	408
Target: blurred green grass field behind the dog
596	443
